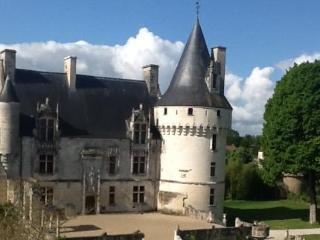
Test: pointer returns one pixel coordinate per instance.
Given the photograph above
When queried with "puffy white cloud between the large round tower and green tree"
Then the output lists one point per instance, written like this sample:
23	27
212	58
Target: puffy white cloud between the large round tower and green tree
248	97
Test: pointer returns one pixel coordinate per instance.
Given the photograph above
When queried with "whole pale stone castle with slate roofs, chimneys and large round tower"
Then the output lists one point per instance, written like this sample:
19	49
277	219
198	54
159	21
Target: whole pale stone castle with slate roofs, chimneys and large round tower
97	144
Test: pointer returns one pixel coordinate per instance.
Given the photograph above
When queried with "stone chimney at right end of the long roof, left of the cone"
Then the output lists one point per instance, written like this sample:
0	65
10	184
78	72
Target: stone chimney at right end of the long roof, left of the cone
151	75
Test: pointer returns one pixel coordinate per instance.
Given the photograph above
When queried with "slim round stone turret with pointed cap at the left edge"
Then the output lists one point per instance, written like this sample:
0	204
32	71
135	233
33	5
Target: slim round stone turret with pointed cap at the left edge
9	129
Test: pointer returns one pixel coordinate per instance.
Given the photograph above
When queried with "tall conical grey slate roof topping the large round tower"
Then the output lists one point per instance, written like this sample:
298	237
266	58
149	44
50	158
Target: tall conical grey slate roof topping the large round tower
188	87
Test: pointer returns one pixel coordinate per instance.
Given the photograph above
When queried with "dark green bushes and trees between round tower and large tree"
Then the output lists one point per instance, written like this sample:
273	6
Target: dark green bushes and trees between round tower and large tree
243	176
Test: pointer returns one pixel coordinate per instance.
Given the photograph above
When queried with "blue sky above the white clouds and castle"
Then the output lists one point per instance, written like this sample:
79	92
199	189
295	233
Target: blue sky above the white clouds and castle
257	33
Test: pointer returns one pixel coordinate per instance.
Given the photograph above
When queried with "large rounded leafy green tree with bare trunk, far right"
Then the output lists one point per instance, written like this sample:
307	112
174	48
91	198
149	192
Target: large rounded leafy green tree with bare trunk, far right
291	132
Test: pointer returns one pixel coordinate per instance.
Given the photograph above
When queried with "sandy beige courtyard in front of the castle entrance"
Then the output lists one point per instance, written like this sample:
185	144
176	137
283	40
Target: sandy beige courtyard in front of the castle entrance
155	226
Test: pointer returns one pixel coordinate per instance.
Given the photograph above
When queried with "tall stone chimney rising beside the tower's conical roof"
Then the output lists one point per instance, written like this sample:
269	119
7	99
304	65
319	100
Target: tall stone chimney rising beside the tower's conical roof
219	56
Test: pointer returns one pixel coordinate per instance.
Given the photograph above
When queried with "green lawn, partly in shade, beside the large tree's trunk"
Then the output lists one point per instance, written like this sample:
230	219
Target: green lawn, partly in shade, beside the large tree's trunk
282	214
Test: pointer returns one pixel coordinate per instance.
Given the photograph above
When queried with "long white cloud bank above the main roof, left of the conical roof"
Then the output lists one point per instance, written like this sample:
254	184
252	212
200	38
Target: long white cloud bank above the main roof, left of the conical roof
123	61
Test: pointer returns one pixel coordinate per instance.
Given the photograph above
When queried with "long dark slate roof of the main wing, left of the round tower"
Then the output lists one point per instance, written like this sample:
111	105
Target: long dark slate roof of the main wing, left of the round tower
97	109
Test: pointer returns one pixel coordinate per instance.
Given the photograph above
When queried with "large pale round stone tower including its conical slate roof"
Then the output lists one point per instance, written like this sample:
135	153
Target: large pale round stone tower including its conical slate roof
193	121
